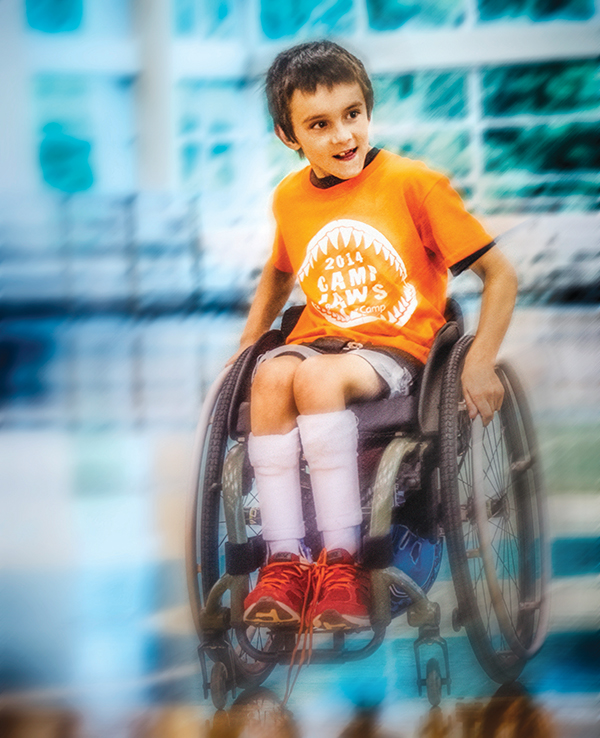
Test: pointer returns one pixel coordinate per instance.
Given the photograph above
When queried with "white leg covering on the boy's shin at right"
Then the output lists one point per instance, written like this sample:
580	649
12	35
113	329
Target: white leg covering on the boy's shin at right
330	444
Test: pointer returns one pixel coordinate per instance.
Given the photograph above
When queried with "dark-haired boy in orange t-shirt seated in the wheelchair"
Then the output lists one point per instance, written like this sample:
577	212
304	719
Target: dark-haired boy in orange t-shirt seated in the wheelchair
370	237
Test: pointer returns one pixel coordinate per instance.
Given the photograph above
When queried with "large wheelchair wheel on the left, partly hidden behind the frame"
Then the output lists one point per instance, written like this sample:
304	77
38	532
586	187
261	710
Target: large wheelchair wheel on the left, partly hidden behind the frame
207	531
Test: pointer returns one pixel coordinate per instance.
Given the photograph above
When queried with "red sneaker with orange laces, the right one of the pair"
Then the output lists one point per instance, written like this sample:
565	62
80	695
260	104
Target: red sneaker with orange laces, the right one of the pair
342	592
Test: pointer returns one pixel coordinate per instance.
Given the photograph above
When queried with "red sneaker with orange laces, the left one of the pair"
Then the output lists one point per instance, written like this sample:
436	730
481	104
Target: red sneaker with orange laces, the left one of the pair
282	587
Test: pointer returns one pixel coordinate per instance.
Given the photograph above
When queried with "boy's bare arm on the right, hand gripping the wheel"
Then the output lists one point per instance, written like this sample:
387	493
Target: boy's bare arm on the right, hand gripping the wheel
482	389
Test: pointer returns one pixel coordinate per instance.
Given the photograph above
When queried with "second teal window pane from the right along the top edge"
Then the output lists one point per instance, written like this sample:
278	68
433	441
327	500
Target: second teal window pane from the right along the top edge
389	15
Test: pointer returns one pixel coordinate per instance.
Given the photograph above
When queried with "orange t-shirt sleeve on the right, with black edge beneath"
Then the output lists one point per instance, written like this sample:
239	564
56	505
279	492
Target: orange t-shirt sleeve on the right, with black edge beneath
455	233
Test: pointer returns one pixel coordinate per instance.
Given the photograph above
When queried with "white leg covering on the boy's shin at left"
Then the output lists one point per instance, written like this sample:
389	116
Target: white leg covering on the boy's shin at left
275	459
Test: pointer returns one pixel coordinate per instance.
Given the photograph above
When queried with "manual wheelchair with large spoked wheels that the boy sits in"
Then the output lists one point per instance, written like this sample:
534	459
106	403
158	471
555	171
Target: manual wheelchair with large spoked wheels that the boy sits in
424	465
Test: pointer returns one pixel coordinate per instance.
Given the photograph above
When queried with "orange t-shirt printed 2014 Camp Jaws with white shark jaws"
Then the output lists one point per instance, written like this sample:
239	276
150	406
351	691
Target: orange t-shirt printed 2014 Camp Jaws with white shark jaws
372	253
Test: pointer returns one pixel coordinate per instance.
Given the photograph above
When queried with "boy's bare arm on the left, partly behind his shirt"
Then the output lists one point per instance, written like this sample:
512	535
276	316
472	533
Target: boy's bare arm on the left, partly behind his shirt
272	293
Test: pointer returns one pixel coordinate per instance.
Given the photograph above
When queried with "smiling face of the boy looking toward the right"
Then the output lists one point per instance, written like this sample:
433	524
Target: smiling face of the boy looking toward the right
332	129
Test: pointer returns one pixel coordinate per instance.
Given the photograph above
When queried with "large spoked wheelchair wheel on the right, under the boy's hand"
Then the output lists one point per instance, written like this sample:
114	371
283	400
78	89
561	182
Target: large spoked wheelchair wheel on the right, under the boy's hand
494	522
